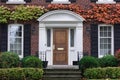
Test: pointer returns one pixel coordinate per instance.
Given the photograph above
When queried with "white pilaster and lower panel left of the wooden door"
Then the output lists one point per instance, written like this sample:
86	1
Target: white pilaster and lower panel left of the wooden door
43	43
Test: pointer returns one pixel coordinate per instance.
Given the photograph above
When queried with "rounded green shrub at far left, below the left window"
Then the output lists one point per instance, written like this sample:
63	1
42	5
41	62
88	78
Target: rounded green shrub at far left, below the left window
8	60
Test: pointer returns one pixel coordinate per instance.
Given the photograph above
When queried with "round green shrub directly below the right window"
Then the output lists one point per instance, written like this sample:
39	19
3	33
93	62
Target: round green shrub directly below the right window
108	61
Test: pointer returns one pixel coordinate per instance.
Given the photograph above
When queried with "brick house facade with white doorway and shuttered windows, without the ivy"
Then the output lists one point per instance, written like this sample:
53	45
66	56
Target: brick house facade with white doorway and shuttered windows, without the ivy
88	42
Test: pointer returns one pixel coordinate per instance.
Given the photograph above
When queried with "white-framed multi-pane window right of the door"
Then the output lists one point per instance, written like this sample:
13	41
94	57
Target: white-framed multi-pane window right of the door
105	39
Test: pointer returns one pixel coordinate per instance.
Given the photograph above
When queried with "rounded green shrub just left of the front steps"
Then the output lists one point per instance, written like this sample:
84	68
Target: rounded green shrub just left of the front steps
31	61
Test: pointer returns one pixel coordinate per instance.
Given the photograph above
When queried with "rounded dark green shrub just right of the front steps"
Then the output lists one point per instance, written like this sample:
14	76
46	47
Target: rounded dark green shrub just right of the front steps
88	62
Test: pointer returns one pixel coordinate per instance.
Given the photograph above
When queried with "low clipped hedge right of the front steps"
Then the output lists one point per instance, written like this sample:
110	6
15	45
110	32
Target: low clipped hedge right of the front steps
102	73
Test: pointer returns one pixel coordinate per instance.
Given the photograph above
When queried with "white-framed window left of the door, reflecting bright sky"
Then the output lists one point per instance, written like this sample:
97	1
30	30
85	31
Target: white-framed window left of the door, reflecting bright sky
15	39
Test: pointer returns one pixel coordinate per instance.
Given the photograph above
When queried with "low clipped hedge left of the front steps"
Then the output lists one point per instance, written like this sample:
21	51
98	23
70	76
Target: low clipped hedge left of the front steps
21	74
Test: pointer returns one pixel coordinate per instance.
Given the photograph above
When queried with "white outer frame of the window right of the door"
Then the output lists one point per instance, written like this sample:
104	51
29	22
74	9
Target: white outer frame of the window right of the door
112	40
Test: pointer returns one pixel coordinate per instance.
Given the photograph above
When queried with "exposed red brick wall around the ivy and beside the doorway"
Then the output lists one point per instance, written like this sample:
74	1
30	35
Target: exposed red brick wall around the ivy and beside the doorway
34	25
